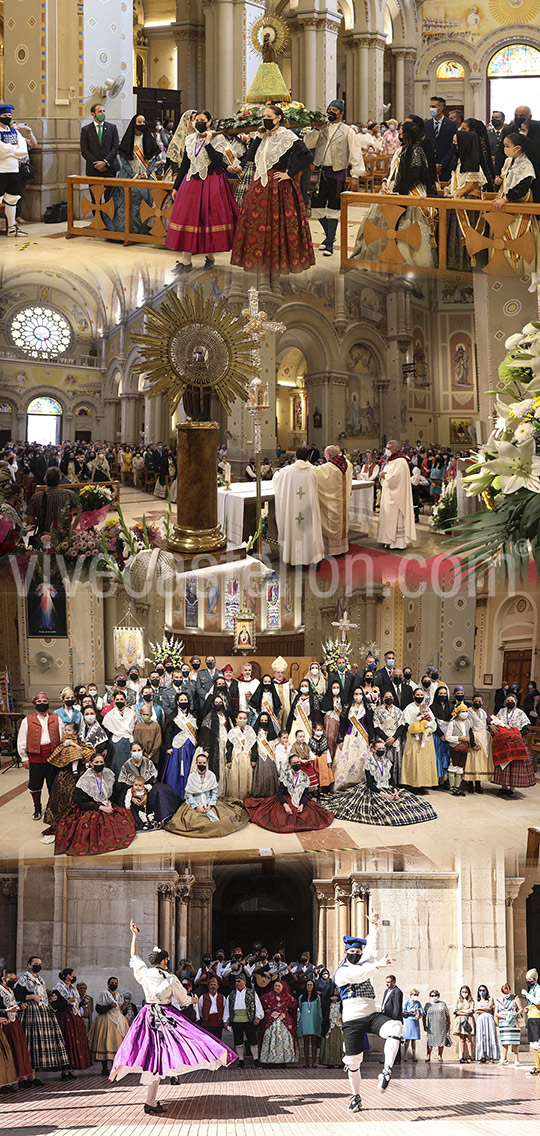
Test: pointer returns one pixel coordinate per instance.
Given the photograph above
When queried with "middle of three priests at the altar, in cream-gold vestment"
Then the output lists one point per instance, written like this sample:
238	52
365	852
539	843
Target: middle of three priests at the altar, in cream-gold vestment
335	485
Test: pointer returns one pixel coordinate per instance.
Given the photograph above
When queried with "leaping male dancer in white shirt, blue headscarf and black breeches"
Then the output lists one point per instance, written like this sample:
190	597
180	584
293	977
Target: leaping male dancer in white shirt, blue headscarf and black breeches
359	1008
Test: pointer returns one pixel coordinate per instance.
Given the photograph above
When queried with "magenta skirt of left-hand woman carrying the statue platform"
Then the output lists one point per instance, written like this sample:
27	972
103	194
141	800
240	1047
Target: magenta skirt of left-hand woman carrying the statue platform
205	216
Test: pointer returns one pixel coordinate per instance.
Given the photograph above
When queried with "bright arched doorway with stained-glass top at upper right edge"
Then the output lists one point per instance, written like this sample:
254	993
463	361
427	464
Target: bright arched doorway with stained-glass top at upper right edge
513	78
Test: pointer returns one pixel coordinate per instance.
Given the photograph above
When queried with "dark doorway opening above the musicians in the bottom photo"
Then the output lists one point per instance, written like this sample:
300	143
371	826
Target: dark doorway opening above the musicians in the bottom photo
265	903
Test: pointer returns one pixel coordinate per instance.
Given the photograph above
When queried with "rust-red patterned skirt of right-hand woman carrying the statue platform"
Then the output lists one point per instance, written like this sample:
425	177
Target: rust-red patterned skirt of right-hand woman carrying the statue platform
273	231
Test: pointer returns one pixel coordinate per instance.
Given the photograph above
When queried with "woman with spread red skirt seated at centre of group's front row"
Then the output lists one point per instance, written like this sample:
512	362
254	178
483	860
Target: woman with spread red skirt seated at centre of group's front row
292	811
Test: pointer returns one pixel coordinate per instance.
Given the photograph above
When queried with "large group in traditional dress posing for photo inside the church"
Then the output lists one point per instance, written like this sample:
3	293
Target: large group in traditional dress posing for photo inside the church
202	753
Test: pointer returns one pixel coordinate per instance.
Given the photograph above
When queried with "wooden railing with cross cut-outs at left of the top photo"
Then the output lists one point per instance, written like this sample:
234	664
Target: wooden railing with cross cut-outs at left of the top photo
98	206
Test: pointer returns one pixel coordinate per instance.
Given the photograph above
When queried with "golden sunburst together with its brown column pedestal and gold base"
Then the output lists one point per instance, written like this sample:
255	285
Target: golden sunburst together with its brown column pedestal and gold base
190	349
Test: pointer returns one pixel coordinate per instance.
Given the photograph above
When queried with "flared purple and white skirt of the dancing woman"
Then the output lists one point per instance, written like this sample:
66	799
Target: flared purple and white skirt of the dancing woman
163	1043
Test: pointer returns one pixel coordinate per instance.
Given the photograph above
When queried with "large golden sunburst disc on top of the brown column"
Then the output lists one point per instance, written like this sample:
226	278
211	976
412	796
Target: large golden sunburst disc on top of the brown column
198	344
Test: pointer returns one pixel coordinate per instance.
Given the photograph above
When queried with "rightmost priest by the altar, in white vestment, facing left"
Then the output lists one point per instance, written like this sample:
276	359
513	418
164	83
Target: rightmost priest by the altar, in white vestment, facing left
396	517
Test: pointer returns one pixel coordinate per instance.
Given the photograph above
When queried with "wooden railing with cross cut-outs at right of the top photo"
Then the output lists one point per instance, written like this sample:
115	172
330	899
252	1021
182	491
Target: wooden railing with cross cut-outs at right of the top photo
492	237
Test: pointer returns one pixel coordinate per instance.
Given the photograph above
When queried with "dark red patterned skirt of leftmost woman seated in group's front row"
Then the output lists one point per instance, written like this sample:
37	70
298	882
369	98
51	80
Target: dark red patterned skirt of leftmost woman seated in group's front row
85	832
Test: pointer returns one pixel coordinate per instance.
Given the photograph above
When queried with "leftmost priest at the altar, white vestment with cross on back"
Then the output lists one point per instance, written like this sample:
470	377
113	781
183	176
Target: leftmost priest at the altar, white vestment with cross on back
297	513
